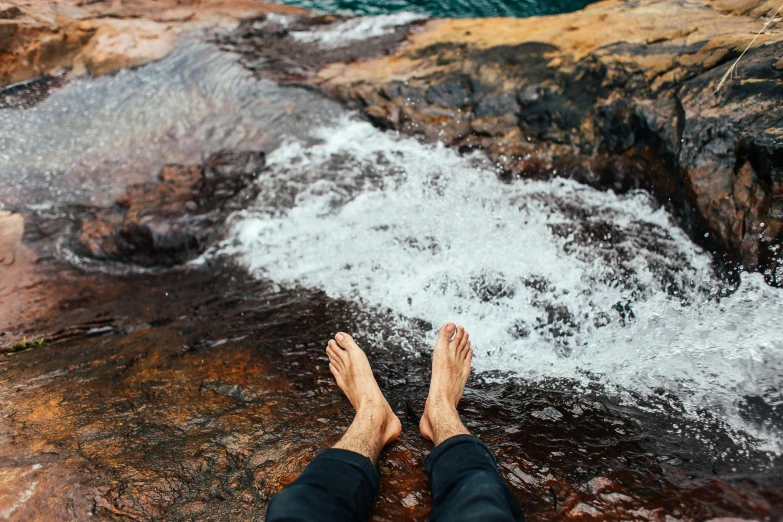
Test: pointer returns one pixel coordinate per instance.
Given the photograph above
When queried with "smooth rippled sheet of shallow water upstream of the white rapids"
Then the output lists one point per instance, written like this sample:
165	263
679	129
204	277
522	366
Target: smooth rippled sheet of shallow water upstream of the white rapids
179	110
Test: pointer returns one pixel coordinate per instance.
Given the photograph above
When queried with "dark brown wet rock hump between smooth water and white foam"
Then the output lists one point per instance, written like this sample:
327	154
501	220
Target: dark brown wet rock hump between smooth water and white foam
173	220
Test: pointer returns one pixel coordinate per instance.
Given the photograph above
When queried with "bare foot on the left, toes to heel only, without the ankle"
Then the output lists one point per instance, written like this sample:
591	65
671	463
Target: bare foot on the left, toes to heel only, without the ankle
351	369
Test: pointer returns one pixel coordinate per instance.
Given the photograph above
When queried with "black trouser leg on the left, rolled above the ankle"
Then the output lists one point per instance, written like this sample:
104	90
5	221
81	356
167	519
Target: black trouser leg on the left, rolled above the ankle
337	486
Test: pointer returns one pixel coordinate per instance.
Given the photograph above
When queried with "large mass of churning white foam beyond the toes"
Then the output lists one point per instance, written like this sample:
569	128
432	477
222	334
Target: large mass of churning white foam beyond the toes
552	278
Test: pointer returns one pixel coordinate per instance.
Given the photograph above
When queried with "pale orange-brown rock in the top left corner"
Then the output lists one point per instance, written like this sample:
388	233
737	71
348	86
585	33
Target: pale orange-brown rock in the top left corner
46	38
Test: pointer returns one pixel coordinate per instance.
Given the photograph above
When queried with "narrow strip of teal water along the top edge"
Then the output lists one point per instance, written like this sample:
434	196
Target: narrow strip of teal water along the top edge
445	8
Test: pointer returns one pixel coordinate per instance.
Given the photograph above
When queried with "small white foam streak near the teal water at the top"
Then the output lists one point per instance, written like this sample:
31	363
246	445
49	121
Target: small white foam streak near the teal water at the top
359	28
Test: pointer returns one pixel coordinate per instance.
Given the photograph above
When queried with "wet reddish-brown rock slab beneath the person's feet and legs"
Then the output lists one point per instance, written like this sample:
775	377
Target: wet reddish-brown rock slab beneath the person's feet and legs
199	393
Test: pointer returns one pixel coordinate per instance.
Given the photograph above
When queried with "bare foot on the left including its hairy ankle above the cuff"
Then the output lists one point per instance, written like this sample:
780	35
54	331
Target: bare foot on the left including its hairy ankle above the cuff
375	424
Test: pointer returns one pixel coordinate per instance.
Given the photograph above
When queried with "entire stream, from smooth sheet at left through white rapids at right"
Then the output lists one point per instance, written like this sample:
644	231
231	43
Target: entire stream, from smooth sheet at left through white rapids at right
563	287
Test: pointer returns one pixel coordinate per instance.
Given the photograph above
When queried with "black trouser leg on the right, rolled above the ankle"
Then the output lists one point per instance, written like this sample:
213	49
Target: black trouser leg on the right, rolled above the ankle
466	485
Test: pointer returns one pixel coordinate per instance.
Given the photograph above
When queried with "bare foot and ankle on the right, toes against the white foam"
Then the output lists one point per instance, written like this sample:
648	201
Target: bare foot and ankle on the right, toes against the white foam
450	371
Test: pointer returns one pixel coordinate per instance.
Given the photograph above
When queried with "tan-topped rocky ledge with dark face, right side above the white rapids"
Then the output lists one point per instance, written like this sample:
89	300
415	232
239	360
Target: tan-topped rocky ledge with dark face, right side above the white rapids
620	96
